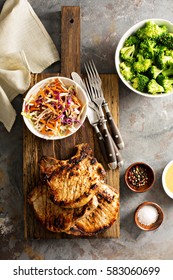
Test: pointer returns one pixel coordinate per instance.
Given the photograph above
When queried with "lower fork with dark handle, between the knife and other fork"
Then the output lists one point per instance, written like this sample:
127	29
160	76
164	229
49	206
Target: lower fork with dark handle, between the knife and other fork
93	93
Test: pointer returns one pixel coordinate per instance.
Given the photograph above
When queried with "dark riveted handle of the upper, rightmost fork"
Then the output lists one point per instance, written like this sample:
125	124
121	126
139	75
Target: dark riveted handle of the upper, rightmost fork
114	128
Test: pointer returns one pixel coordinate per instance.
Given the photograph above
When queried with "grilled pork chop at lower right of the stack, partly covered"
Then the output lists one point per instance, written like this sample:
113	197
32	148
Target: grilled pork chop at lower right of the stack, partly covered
102	217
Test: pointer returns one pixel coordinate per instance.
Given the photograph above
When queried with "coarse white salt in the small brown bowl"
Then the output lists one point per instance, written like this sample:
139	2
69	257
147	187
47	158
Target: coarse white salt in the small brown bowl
147	215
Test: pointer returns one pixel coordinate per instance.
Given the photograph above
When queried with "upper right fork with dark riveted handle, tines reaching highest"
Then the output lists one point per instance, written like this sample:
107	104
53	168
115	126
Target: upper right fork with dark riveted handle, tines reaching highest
95	80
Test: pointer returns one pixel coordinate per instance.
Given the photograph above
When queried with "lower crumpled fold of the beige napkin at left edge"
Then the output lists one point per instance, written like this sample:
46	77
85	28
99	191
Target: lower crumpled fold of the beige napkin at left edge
14	79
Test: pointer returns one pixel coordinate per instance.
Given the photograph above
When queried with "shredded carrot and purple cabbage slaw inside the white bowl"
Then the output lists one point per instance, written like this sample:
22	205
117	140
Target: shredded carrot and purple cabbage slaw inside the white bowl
55	109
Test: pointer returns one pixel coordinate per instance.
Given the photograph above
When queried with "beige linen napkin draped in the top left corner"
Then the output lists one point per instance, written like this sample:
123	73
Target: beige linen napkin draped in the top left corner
25	46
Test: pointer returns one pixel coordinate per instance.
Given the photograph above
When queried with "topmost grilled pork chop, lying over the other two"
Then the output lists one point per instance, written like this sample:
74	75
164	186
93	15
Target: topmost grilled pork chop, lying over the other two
74	181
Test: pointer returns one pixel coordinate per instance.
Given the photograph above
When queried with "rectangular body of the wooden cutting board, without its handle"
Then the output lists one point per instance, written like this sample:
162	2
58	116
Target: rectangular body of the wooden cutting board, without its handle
34	148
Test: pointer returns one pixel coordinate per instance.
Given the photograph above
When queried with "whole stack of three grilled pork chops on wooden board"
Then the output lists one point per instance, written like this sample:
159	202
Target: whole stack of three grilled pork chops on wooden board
73	197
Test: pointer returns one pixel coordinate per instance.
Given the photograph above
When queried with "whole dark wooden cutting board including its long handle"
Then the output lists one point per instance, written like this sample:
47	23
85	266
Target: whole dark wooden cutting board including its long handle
34	148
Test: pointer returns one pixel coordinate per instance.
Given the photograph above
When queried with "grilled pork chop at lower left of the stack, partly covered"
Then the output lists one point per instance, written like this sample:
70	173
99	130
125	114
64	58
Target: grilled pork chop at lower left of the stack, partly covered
54	217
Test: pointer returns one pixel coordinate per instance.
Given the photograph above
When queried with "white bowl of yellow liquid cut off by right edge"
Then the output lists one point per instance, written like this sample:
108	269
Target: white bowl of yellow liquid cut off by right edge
167	179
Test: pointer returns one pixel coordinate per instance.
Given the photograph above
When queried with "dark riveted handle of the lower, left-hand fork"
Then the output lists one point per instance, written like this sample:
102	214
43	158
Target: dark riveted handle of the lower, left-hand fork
112	162
